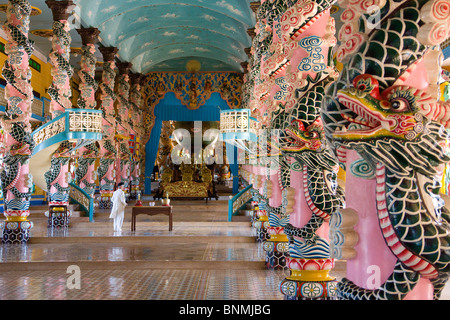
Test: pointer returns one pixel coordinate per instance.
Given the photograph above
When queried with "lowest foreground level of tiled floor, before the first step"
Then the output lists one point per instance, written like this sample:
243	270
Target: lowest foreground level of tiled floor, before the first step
143	285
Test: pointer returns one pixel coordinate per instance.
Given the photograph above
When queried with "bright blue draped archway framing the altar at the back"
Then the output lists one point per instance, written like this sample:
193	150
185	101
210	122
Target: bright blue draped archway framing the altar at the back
170	108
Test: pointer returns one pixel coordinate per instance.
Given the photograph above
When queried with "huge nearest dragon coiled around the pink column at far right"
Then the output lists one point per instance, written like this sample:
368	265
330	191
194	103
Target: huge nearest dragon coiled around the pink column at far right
384	107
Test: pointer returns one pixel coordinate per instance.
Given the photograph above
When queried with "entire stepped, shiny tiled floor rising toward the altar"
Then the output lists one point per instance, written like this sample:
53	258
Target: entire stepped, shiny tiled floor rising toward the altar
204	257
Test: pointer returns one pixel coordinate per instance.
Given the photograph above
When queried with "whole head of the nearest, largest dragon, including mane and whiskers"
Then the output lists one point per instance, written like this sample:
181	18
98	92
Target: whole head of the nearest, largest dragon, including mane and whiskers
401	126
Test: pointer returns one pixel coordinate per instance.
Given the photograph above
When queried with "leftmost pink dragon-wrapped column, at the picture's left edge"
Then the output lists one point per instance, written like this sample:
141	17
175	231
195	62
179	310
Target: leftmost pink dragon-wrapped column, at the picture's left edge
15	178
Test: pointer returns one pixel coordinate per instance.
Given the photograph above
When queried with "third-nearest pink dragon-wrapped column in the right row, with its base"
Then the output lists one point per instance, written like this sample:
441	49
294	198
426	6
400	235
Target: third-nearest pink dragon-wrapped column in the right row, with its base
267	94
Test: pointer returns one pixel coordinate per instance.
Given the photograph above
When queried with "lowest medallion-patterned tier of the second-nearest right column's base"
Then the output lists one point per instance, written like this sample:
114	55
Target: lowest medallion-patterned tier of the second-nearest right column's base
308	290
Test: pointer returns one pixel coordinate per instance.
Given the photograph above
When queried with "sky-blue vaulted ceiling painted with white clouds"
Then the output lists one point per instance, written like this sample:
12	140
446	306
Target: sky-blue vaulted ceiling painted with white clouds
162	35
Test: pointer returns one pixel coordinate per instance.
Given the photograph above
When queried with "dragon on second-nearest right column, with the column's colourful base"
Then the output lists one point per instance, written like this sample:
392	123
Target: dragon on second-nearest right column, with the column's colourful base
303	139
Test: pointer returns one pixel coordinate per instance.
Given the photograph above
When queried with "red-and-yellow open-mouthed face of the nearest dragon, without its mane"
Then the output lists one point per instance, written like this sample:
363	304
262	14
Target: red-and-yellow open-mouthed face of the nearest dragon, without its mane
394	113
